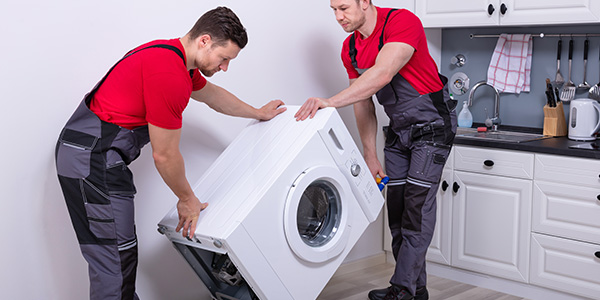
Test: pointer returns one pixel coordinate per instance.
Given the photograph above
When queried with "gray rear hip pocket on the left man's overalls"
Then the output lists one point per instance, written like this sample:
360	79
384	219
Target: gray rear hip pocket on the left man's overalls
73	153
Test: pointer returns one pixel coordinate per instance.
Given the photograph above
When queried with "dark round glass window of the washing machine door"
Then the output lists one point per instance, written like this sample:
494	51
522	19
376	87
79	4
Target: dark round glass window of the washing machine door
318	217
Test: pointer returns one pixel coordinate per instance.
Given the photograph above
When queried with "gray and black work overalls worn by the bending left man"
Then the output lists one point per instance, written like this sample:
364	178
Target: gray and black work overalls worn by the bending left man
91	161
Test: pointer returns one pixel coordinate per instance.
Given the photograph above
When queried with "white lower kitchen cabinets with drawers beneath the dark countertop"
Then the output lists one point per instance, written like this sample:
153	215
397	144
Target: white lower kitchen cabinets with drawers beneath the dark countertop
521	217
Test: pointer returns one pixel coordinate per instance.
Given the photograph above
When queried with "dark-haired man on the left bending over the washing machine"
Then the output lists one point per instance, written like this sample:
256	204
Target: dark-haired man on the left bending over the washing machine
141	99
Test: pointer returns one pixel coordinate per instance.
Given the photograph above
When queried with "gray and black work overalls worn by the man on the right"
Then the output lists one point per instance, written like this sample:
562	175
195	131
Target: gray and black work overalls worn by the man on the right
418	141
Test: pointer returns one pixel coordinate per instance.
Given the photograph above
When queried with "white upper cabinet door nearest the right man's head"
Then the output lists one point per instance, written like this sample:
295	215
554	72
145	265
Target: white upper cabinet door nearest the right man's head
456	13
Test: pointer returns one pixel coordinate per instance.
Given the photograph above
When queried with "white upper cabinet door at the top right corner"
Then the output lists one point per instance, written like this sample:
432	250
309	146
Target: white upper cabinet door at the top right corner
535	12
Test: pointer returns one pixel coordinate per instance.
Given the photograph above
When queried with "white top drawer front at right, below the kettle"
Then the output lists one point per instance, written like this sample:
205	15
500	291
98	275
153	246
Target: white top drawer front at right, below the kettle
579	171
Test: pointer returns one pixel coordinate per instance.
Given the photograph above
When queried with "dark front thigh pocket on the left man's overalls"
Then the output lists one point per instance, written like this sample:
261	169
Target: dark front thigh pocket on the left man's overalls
119	179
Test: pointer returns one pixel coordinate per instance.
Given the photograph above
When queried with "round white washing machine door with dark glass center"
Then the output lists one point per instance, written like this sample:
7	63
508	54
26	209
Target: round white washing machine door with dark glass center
316	220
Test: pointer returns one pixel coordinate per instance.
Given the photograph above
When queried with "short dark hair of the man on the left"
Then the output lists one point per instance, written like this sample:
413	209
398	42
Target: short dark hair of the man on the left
222	25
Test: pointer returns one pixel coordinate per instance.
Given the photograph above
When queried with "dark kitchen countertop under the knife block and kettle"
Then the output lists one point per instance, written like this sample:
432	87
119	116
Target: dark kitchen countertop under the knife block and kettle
553	145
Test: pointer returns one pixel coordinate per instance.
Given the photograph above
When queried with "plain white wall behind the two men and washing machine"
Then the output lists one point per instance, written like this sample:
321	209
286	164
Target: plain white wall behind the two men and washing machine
53	52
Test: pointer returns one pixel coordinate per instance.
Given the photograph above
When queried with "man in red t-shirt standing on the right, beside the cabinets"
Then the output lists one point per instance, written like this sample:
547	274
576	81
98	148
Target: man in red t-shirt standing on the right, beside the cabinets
386	55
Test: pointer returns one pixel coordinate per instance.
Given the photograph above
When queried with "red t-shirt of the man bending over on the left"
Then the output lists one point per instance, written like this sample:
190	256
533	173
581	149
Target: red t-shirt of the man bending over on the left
151	86
